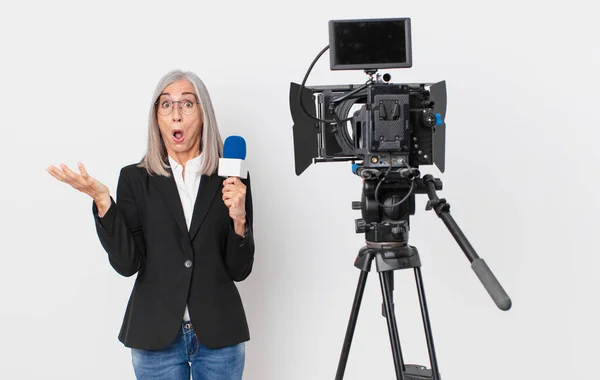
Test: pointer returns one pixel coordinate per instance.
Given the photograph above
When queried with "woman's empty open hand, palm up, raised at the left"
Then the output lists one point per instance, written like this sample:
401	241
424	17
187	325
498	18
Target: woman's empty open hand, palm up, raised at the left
84	183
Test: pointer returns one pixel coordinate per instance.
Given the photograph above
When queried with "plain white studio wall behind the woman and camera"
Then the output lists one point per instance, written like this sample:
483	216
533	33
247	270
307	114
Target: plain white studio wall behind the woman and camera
521	178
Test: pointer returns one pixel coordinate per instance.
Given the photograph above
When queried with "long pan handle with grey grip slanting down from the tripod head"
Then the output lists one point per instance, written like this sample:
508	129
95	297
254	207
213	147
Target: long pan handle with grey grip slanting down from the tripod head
483	272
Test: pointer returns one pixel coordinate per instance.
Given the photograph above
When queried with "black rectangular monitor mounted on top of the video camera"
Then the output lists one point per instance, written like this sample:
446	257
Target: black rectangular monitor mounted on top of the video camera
370	44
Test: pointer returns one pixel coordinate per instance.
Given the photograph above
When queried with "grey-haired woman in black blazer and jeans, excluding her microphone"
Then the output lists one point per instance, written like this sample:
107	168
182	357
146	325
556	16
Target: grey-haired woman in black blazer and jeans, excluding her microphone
186	232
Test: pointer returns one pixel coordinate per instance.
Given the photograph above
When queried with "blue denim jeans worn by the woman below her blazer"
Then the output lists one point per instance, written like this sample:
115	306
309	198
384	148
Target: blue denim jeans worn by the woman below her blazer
186	355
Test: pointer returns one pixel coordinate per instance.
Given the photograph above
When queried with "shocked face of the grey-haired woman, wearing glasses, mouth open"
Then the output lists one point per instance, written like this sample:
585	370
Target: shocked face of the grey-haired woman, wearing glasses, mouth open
180	118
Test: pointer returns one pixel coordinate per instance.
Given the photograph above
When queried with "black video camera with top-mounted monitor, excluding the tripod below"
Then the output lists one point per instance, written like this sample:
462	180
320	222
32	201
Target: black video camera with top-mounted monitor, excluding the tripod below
396	126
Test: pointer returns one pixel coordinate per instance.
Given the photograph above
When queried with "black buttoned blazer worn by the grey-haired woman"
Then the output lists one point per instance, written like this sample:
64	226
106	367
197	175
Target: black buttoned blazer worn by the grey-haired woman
145	232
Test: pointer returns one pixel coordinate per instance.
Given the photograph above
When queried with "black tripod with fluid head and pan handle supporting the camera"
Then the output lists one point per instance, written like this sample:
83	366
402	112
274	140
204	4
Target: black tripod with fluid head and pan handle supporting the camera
387	244
